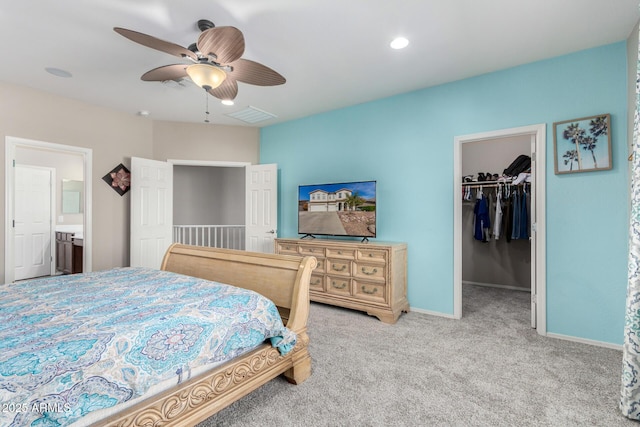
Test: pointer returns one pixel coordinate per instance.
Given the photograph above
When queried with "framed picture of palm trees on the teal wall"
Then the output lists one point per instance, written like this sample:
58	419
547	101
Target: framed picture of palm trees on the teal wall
582	145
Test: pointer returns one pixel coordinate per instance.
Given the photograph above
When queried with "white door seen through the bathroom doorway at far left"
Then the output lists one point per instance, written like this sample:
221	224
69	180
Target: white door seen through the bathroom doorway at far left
32	216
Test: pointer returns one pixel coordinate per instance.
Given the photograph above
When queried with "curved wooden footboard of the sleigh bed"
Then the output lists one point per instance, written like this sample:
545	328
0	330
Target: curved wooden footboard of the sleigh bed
284	279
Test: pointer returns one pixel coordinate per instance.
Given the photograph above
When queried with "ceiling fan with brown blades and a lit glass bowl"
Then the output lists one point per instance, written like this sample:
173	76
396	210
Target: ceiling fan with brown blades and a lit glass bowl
215	61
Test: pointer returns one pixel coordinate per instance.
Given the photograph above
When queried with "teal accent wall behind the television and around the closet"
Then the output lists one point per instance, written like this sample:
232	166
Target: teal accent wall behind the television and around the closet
406	143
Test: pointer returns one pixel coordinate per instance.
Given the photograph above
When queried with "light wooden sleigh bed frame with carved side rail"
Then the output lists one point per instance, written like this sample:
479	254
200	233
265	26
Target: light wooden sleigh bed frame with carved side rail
283	279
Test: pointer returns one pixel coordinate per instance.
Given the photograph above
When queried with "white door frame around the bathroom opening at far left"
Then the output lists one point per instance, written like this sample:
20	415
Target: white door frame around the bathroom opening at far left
11	143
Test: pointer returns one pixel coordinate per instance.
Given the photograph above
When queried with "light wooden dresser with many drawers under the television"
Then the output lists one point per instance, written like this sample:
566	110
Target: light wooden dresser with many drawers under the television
370	277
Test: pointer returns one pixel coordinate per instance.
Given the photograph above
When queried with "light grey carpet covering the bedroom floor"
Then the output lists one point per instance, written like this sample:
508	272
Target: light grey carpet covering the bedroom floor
488	369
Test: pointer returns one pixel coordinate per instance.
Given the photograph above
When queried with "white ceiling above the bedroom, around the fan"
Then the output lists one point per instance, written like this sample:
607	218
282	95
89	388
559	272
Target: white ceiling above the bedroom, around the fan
333	53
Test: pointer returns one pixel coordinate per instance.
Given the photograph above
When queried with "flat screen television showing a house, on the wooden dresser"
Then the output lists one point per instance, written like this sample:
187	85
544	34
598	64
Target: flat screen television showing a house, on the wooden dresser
340	209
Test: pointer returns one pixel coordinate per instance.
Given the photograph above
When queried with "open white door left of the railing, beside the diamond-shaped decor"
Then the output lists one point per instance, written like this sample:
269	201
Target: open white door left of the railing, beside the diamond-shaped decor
151	211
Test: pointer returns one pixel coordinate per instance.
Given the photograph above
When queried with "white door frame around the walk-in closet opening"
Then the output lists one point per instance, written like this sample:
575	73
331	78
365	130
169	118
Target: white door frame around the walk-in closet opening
539	228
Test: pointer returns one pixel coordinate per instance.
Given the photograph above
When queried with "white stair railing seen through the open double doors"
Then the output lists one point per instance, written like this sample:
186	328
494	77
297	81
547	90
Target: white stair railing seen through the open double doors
215	236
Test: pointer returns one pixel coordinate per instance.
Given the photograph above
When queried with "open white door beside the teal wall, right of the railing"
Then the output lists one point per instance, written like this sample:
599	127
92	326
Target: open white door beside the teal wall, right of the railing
261	207
